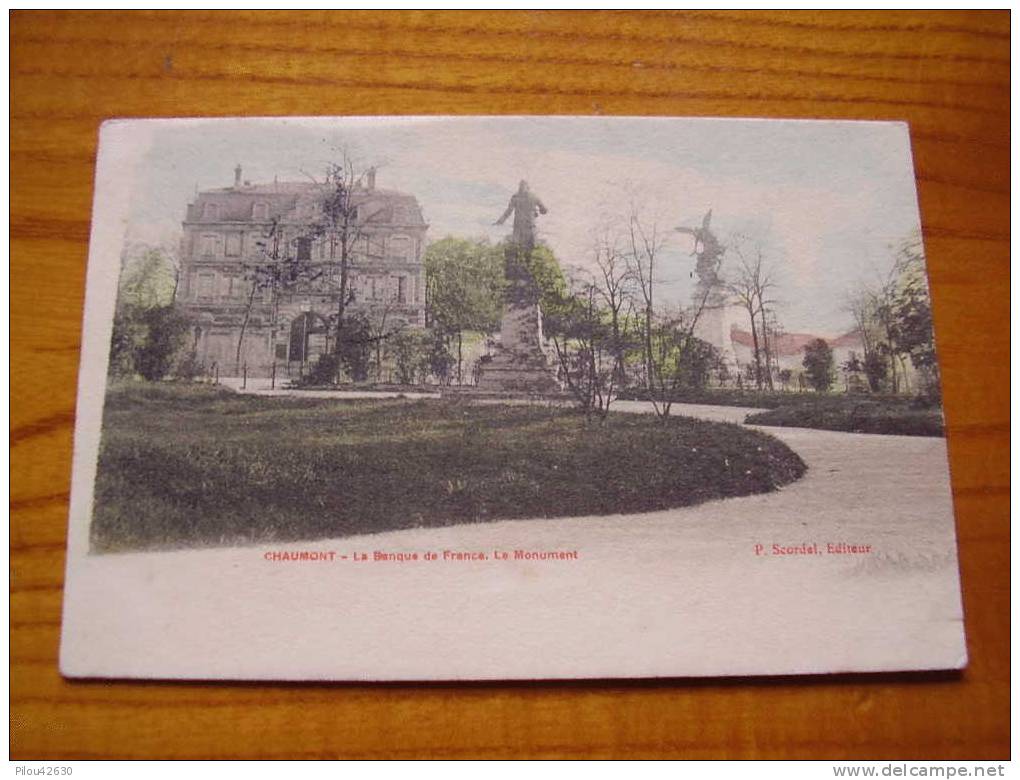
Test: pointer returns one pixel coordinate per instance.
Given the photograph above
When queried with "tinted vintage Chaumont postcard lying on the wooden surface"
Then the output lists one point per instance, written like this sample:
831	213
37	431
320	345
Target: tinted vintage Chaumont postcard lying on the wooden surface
508	398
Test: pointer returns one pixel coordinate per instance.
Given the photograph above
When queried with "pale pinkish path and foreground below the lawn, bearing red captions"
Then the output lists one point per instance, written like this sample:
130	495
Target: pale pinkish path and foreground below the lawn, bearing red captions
695	591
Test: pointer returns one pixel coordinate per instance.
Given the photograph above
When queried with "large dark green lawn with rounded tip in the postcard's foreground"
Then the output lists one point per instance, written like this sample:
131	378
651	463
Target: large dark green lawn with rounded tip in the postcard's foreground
193	465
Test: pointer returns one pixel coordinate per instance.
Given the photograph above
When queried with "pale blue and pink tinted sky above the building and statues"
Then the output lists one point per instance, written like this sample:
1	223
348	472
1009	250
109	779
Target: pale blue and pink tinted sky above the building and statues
826	201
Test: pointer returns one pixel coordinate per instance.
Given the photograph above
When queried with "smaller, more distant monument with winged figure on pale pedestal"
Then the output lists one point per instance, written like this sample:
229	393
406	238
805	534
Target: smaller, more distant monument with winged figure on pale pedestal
719	316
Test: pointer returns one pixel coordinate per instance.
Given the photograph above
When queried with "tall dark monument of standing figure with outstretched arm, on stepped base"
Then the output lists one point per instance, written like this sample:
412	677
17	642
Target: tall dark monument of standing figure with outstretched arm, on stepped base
520	365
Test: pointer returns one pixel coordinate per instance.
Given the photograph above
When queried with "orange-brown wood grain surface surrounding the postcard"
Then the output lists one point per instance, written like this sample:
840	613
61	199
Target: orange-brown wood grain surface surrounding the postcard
948	74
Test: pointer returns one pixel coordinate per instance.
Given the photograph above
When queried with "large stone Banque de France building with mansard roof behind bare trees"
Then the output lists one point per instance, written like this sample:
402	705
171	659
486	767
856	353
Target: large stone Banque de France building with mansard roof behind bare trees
229	232
